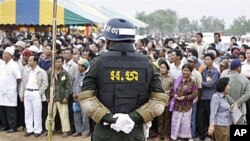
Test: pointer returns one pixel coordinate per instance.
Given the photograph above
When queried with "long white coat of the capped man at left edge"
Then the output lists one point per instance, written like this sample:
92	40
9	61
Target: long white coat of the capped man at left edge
9	74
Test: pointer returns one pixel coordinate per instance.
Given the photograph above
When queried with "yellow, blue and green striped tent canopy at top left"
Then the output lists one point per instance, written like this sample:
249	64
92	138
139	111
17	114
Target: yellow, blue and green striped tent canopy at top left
37	12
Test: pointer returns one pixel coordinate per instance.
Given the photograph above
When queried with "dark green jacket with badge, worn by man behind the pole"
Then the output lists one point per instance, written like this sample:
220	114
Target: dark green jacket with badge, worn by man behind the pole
62	86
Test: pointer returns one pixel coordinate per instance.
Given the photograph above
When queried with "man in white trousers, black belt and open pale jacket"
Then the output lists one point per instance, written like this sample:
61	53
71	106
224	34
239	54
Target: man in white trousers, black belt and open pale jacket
33	87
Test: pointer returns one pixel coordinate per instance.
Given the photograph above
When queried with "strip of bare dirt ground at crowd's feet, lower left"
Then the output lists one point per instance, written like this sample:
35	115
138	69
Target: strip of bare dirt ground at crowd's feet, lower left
19	136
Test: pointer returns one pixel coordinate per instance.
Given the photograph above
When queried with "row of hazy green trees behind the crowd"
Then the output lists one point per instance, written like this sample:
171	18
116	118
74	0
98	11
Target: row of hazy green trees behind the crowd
168	22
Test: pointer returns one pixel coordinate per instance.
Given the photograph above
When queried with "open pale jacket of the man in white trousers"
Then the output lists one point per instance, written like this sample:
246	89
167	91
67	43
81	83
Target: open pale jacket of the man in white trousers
42	80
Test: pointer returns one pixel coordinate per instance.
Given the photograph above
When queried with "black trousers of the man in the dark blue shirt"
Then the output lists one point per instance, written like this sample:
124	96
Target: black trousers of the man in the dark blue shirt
203	113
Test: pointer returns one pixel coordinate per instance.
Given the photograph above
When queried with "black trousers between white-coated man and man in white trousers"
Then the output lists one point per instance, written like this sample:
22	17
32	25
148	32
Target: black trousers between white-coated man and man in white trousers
20	113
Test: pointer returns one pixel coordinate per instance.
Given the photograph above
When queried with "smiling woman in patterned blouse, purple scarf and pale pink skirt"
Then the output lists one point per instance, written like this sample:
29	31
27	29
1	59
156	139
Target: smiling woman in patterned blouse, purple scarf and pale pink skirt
184	91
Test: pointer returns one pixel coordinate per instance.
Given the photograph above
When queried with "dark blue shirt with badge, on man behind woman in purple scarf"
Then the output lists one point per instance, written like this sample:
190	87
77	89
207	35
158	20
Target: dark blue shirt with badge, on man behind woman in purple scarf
210	79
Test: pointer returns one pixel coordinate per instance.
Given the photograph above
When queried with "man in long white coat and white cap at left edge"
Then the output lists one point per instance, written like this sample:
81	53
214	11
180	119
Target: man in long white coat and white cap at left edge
10	76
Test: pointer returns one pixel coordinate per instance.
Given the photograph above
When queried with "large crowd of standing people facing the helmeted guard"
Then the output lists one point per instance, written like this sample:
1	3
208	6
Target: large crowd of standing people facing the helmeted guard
204	81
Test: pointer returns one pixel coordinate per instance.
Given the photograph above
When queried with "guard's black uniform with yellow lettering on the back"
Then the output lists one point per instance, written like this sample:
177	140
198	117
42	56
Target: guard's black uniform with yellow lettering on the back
123	81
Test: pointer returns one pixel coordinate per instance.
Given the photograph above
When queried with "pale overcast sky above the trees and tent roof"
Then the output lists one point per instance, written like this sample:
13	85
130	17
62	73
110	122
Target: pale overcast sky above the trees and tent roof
193	9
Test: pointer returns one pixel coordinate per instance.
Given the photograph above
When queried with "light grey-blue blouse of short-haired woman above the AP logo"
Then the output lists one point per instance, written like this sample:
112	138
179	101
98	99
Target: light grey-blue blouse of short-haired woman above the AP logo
220	114
